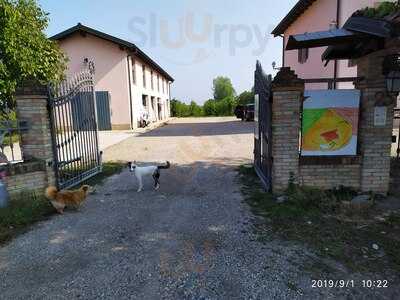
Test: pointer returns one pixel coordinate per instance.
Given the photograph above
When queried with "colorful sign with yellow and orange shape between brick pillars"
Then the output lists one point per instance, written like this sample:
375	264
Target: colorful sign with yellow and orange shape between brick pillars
330	123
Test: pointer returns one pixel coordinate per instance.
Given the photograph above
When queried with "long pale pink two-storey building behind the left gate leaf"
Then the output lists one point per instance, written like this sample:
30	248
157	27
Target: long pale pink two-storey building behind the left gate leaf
133	82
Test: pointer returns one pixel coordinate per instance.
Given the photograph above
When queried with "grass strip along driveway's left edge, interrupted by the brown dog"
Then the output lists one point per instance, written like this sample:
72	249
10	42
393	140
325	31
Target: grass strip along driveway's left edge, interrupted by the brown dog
29	208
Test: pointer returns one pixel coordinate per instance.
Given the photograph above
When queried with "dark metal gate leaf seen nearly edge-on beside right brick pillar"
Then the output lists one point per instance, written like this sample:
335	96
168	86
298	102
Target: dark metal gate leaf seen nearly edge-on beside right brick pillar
263	126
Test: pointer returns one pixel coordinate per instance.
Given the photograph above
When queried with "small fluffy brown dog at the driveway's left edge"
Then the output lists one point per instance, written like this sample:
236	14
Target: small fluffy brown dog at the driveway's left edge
62	199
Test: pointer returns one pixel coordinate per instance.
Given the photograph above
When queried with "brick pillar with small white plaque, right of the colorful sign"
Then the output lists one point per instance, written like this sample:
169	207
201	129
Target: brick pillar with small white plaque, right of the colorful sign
375	139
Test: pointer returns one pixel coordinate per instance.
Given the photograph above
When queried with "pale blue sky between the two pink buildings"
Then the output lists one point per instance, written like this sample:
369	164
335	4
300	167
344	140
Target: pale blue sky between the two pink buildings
194	41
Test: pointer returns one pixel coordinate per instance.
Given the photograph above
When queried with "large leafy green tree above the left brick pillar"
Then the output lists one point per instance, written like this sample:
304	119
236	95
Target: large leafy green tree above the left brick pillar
25	51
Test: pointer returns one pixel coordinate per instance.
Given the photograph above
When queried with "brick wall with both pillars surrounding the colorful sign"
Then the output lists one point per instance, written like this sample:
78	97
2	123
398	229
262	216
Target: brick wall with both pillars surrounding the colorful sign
368	171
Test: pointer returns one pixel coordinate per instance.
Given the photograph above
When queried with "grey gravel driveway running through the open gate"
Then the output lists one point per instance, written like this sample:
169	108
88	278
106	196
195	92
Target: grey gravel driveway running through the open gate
190	240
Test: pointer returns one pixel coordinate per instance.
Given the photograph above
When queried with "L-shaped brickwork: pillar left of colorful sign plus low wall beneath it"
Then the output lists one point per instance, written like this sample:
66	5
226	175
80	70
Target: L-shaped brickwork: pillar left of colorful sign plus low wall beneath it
286	125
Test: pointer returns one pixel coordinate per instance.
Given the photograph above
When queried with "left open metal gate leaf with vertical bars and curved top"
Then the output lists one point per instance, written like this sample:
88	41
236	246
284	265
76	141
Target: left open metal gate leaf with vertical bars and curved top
73	118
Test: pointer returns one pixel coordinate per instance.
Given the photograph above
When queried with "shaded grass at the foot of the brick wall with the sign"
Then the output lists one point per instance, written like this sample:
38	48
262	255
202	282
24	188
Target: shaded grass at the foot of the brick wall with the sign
317	219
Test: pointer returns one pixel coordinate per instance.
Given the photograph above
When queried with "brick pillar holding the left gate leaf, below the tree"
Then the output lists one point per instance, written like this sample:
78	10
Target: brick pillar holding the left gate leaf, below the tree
36	142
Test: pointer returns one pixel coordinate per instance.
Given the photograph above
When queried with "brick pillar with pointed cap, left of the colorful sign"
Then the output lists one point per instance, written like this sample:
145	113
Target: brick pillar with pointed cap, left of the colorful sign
288	92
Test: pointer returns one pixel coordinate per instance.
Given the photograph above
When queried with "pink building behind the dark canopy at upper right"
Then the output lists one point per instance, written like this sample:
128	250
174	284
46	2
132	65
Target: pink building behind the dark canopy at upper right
312	16
